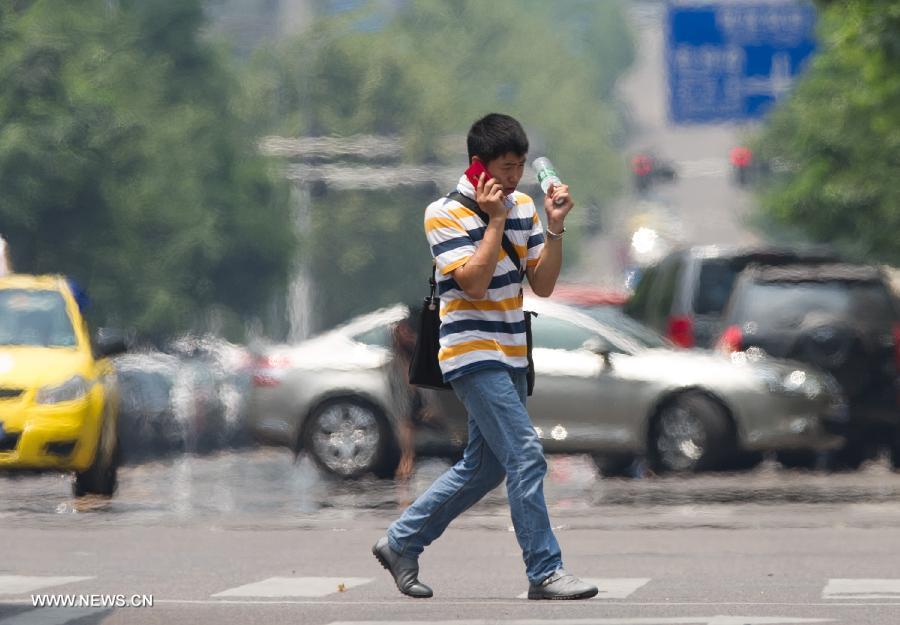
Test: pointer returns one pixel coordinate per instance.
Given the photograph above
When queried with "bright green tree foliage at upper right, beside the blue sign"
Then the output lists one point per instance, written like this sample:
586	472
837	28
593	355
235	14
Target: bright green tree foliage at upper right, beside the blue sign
836	141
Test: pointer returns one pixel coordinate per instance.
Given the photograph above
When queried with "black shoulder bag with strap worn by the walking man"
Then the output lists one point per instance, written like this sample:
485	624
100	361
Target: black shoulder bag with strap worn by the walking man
424	369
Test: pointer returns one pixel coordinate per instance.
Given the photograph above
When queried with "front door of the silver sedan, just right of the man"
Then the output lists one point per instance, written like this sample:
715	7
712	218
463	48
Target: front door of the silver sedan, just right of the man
580	403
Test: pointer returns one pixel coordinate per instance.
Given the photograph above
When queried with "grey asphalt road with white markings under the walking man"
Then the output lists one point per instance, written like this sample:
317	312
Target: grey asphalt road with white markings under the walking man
252	537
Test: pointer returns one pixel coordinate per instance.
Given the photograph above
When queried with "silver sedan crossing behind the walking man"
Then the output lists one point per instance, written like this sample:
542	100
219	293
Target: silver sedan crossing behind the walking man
605	386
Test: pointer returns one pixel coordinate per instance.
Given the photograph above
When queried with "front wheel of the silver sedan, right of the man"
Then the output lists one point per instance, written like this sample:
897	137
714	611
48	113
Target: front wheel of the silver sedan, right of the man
690	433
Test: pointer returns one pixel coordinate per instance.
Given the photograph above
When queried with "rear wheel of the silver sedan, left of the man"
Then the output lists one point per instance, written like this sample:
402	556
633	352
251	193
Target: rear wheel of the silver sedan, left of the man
349	437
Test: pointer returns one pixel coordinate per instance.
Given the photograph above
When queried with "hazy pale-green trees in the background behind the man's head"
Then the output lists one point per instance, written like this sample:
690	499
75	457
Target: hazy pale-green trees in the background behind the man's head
426	73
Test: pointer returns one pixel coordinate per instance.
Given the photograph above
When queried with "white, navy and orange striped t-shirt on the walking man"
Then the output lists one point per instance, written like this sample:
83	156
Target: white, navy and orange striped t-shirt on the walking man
487	332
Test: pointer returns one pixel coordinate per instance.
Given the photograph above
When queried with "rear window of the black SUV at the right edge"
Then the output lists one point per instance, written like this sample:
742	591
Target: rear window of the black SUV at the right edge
790	303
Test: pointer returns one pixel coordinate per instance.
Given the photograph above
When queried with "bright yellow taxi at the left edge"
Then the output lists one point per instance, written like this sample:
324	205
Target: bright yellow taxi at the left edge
58	396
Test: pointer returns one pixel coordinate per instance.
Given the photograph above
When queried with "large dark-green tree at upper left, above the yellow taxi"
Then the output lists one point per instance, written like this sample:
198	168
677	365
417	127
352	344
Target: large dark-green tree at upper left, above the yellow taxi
124	165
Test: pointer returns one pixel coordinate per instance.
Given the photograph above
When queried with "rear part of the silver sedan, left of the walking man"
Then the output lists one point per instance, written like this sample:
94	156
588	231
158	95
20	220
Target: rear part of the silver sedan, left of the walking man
337	397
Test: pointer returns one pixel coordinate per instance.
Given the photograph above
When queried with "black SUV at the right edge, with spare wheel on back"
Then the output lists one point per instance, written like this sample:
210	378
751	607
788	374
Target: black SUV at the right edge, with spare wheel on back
841	318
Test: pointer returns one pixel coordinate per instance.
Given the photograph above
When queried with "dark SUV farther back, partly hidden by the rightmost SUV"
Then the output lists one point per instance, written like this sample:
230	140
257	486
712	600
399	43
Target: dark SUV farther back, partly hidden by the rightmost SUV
683	295
